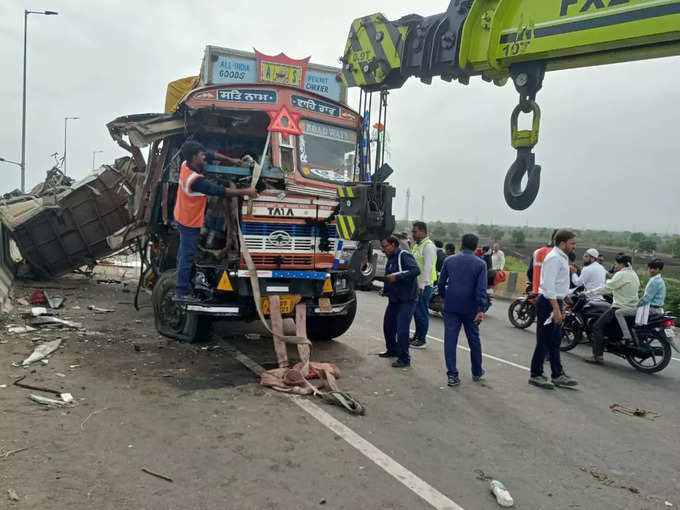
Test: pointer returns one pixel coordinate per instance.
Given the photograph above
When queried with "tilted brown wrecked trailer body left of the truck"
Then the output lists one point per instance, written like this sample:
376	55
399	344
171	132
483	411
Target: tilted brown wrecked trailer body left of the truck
63	228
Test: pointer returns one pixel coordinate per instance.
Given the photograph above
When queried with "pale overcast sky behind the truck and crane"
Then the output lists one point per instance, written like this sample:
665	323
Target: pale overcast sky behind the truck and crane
609	135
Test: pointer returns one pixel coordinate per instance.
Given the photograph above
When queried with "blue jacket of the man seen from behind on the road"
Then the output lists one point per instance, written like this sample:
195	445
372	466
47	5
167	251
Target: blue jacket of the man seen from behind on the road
463	283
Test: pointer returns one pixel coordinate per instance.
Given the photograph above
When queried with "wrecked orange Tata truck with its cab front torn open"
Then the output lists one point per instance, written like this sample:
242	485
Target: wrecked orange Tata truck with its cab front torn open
300	233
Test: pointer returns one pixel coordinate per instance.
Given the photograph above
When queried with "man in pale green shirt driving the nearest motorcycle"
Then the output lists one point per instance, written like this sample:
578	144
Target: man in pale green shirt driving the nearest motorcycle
623	286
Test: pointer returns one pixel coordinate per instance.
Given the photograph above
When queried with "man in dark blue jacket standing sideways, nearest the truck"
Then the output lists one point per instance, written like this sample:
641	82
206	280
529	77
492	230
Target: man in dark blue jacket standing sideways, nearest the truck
401	287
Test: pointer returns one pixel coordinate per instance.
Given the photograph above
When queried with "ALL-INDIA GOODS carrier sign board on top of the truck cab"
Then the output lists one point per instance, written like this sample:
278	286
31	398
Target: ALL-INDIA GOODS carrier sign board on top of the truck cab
228	66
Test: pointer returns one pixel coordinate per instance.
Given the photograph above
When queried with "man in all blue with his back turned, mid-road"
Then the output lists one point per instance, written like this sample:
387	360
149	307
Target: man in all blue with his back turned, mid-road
462	284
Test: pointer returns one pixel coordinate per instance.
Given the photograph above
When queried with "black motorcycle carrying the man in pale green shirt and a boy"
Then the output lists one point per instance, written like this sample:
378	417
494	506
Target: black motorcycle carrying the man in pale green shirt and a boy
651	349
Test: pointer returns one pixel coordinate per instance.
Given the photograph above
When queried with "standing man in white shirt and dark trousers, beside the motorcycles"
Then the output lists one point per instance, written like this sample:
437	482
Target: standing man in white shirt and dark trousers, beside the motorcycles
554	287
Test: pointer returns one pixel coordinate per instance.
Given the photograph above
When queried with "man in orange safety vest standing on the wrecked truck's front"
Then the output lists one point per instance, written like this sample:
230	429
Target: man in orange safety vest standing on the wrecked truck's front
192	195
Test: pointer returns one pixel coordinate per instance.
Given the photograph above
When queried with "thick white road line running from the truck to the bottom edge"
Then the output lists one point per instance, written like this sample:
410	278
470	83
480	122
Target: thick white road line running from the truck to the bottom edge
407	478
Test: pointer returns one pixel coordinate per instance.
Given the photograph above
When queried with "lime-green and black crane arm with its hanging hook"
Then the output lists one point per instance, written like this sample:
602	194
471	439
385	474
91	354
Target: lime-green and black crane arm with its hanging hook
517	39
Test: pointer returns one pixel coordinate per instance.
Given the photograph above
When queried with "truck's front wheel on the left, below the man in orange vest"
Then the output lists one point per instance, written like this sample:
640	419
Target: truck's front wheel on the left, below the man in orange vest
171	319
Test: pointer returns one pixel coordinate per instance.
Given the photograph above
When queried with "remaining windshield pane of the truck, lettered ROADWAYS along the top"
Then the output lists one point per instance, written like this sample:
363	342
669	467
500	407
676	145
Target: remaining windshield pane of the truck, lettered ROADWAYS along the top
326	152
